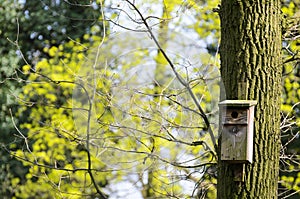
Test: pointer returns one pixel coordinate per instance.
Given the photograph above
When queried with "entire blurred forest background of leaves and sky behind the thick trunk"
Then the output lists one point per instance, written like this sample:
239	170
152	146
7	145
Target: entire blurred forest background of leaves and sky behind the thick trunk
91	108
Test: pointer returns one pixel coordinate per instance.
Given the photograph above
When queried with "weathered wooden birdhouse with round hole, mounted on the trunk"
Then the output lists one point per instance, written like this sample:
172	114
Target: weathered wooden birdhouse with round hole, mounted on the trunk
237	120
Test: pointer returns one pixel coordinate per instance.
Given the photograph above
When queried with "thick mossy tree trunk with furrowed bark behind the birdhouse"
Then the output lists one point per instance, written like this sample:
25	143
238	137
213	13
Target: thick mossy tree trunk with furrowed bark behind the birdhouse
251	56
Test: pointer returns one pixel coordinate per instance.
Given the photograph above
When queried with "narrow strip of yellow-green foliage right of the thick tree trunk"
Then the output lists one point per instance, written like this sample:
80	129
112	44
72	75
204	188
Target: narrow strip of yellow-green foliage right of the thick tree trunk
290	171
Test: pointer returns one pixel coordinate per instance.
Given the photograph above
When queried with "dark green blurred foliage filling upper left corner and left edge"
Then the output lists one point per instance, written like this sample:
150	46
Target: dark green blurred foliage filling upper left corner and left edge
26	27
